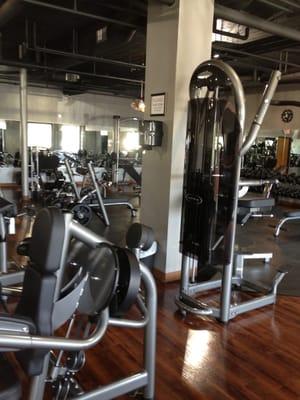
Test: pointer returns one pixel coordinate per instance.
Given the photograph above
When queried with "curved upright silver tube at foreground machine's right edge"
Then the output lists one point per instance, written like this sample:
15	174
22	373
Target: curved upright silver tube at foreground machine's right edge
150	329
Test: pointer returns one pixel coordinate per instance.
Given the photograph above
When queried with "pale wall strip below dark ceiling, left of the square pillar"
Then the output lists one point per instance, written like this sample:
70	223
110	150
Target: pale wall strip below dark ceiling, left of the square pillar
44	105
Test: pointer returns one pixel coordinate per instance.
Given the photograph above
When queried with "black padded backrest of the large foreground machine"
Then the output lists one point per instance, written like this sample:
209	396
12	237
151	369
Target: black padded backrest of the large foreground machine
39	284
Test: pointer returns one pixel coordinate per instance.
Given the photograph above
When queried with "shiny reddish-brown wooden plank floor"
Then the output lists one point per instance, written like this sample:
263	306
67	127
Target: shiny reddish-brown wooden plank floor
256	356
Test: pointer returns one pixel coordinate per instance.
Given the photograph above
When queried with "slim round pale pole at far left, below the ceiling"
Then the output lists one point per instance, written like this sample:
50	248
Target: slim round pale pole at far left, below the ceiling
23	133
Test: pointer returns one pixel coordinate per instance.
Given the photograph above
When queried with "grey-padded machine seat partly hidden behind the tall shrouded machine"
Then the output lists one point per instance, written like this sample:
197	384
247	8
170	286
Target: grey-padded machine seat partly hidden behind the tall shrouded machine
258	206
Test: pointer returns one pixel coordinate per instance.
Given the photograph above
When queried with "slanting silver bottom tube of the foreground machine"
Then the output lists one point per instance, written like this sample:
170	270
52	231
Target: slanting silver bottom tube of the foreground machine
116	389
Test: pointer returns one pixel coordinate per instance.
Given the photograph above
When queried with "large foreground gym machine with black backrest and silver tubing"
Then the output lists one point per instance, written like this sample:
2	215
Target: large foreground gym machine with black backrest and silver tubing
56	292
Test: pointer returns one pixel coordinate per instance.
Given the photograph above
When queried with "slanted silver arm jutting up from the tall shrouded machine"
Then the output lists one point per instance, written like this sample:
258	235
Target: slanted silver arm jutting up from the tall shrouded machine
262	110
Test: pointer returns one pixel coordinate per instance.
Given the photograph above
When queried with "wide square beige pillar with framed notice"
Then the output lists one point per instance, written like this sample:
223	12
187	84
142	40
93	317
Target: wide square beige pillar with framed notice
178	40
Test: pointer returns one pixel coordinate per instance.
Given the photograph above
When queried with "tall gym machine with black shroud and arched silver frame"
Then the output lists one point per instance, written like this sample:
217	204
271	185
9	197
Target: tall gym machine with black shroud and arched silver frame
214	150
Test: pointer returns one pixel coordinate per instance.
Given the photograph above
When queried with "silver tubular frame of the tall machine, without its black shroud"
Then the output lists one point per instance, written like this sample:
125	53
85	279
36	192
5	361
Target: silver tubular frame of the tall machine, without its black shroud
231	274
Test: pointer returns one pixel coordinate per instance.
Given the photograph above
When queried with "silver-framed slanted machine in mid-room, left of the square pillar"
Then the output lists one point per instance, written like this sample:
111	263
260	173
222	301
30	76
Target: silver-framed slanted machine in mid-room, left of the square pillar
92	200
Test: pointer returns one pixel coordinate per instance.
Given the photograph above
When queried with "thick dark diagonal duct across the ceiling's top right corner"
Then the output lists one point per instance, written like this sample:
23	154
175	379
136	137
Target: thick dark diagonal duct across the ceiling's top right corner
253	21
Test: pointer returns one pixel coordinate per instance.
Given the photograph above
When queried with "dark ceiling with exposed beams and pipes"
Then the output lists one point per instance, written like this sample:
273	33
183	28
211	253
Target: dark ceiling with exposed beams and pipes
100	46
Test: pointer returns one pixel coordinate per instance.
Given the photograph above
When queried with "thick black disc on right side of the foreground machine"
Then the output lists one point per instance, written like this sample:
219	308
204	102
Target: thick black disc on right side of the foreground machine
128	282
